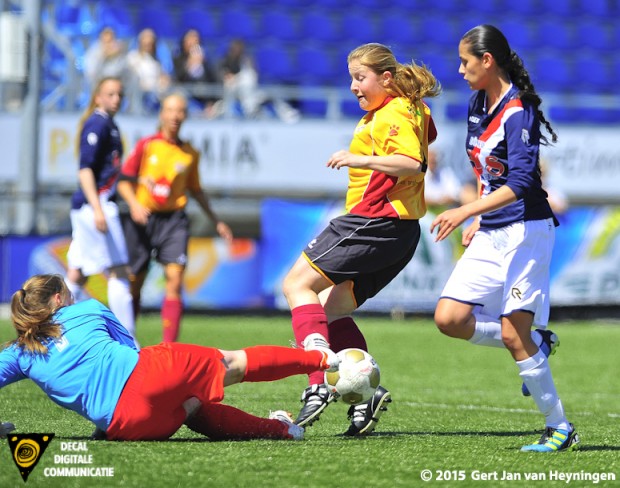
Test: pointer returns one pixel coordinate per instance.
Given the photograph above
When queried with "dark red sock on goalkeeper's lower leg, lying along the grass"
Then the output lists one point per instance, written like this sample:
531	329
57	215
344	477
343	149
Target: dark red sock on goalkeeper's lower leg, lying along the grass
223	422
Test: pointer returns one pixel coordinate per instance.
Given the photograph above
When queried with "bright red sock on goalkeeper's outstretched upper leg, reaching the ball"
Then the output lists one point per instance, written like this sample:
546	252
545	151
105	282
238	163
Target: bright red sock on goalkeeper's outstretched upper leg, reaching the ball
269	363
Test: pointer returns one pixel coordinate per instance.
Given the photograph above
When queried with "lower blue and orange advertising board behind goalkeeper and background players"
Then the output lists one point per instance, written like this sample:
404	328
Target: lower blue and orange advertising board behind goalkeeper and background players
218	275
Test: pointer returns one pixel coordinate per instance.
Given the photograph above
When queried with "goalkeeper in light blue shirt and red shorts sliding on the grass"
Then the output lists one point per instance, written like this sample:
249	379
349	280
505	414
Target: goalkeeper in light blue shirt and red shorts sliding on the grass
82	351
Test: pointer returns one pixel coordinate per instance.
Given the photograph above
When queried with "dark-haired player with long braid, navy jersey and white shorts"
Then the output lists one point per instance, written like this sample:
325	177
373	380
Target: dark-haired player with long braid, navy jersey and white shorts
499	288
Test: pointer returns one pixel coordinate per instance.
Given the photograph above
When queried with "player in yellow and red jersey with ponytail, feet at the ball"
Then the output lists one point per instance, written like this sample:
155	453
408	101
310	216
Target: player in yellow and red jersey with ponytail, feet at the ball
360	252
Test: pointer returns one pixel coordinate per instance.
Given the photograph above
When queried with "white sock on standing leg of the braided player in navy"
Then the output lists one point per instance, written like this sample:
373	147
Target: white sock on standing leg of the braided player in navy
536	375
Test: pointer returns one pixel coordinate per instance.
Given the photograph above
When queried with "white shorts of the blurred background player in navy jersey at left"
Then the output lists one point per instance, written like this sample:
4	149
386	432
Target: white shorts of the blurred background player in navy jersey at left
92	251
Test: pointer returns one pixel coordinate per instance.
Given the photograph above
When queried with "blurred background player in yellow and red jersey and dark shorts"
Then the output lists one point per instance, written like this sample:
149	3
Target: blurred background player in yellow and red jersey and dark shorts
155	180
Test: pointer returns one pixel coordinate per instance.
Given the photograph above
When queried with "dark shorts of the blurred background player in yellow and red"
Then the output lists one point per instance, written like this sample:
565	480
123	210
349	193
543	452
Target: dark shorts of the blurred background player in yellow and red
165	237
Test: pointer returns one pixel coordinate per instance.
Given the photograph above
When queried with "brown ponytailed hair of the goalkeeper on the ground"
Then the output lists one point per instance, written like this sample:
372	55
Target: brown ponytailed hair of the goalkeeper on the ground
32	309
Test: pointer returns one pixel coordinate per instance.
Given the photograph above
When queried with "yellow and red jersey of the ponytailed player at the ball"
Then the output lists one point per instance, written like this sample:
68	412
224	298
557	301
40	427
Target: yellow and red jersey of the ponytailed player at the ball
397	127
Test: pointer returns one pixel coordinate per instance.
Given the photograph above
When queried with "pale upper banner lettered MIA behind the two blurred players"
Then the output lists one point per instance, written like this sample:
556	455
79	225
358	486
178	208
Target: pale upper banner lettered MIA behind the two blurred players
235	156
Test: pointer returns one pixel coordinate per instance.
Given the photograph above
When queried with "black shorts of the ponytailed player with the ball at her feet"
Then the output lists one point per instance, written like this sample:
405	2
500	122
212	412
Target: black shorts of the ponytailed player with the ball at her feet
370	252
